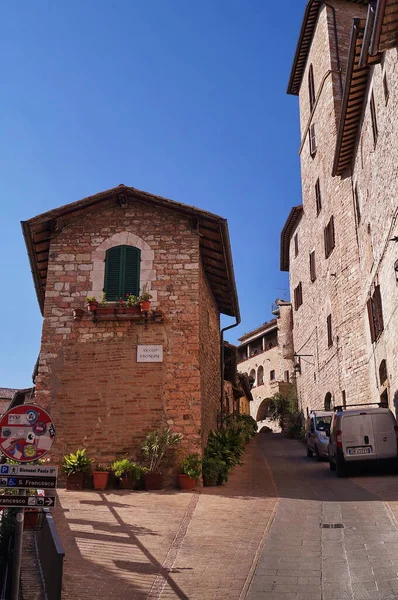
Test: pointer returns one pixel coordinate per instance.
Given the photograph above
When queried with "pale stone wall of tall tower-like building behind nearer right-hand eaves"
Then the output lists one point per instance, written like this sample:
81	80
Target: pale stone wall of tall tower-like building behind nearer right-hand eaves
342	367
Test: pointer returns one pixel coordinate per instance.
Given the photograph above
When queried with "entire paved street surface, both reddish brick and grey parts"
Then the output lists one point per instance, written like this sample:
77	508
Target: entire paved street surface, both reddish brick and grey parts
262	535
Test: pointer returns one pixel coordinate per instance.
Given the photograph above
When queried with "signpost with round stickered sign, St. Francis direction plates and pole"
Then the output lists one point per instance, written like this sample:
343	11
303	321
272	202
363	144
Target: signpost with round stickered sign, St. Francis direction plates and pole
26	434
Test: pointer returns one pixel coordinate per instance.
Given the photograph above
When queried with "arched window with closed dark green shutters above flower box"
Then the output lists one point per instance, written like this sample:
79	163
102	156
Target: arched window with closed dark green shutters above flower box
122	272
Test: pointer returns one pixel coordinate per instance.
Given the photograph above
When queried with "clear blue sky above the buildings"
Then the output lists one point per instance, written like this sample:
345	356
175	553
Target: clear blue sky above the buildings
186	100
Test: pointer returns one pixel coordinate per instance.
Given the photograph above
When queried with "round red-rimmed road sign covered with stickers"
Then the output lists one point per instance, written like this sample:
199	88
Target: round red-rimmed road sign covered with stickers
26	433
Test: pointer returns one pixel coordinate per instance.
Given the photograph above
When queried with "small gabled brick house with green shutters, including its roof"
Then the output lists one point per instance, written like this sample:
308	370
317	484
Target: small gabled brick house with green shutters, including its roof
90	377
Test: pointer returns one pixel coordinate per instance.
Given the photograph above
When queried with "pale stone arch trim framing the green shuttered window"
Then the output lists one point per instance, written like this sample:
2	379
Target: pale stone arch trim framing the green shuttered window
126	238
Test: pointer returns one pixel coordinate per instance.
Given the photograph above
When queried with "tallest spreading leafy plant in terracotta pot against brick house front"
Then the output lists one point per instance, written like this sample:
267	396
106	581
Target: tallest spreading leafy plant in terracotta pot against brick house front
156	449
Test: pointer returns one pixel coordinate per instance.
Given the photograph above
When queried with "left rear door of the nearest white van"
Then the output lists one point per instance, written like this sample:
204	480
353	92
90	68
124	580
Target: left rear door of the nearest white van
357	436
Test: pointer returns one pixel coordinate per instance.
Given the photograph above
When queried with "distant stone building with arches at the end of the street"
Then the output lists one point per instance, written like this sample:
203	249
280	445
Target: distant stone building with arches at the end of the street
266	356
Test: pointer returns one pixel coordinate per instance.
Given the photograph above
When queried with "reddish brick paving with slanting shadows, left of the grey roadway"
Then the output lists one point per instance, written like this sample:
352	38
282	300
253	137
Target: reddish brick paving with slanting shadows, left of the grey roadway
169	544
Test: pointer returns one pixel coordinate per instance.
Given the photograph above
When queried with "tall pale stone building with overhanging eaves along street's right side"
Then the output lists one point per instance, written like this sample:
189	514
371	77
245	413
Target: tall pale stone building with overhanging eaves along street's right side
336	245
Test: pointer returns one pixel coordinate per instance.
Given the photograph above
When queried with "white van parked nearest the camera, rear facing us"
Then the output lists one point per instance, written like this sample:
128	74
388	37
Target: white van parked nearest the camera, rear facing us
362	432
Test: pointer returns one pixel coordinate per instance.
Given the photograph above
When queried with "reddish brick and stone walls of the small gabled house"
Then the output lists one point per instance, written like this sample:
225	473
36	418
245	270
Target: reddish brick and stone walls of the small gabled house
99	396
